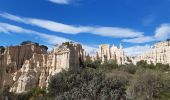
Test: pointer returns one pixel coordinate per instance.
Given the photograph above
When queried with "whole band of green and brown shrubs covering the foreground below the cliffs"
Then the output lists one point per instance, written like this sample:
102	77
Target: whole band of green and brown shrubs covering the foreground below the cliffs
107	81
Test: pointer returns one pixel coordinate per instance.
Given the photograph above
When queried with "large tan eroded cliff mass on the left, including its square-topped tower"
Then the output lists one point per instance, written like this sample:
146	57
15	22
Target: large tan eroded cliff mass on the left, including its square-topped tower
29	65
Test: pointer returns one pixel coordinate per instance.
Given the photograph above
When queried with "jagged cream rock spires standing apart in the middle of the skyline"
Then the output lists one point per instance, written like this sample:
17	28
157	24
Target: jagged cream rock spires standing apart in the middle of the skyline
106	53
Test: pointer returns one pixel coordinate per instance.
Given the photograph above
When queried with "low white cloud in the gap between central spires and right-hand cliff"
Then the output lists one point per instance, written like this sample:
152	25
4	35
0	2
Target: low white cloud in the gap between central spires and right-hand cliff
137	50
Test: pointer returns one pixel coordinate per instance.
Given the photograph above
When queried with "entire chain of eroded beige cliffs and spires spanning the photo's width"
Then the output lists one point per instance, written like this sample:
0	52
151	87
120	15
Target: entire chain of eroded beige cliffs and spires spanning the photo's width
30	65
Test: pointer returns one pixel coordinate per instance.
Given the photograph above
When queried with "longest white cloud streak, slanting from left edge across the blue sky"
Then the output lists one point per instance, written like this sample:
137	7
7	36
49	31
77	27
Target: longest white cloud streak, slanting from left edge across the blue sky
76	29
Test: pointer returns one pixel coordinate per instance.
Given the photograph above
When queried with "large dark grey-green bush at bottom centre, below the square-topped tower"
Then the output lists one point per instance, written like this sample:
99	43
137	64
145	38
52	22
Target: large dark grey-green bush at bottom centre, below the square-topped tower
87	84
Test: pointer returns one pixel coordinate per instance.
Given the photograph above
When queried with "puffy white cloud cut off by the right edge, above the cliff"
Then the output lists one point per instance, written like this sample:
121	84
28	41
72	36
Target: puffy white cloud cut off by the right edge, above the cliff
163	32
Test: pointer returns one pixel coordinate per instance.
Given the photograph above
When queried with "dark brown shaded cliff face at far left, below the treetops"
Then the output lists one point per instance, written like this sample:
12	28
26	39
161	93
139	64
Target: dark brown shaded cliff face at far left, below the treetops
16	55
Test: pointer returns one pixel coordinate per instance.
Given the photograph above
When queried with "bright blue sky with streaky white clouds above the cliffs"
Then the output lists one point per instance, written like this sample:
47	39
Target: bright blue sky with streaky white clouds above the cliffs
136	24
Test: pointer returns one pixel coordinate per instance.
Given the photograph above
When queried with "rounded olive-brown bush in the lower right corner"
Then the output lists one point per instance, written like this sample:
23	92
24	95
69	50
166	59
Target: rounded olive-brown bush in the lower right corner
146	85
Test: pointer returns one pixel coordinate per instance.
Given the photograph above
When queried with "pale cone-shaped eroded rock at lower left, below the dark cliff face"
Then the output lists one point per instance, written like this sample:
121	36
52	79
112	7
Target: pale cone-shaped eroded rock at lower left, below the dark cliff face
27	79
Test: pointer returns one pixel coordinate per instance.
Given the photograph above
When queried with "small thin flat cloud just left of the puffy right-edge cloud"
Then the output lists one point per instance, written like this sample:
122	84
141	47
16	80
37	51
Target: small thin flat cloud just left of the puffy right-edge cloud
143	39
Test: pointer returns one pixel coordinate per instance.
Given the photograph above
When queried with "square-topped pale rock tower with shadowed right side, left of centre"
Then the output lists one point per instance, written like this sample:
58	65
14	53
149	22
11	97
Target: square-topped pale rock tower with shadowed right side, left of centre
64	57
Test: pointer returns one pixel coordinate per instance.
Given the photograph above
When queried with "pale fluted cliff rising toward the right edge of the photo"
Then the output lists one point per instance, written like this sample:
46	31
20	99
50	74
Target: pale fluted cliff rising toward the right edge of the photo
159	53
